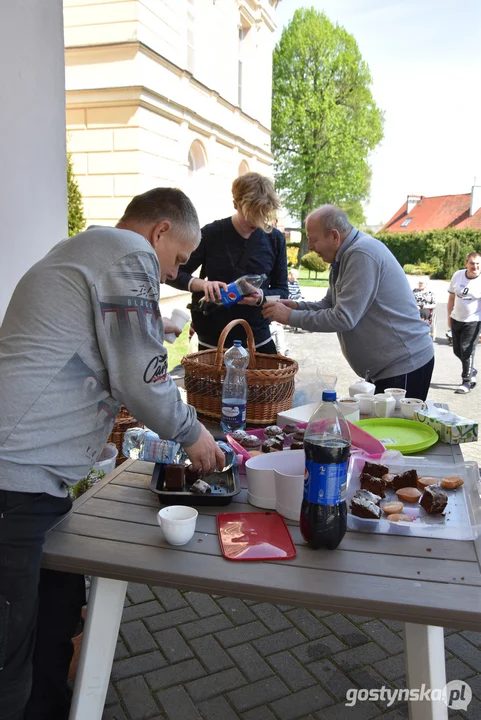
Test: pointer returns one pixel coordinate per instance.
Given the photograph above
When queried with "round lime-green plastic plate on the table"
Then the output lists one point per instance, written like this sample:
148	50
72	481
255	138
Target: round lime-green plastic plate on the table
407	436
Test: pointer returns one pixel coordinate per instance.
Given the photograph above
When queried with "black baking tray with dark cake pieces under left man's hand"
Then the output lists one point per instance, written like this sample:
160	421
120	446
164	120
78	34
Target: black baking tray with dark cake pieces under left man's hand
219	495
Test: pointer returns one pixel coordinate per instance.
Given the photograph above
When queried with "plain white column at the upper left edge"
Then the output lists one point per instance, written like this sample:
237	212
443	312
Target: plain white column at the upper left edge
33	191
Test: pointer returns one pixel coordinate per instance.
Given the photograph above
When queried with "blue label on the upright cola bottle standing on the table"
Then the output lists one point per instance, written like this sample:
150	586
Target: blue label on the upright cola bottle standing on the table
325	484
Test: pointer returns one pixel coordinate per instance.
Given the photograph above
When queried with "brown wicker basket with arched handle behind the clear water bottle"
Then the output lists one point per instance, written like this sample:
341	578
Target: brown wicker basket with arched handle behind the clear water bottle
270	380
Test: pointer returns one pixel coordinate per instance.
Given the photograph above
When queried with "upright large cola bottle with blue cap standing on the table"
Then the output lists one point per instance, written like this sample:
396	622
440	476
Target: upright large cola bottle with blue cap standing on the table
327	442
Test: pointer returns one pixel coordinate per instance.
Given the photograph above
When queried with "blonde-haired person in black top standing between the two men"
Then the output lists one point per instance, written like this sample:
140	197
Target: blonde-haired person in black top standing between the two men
245	243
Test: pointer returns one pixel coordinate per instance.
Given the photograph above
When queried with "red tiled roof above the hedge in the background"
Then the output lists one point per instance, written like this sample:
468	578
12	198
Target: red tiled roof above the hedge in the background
432	213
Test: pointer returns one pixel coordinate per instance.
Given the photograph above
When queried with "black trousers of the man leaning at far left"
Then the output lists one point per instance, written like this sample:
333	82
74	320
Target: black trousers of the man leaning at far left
39	611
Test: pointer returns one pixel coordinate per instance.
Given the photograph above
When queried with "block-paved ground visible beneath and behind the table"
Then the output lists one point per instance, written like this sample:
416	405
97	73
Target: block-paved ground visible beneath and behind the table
187	656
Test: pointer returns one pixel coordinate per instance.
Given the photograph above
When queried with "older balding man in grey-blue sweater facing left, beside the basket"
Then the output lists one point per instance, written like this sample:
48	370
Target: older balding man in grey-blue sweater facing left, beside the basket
369	304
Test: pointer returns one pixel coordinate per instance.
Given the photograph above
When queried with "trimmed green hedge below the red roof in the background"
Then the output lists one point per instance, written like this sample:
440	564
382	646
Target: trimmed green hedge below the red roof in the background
445	250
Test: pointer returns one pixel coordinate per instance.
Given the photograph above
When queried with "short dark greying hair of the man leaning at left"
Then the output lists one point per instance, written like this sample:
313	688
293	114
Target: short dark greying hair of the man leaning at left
169	204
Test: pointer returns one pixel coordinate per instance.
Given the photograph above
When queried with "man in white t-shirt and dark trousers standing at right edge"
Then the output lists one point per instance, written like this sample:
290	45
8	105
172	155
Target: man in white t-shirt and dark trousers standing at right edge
464	317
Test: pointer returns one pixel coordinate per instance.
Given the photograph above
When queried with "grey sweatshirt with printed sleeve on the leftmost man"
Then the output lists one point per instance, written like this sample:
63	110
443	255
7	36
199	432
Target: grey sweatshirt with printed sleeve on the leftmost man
83	335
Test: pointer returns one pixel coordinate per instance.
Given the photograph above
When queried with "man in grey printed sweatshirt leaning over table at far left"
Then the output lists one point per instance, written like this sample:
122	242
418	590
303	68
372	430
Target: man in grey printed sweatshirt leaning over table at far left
82	335
